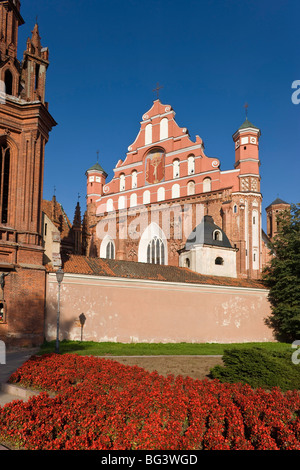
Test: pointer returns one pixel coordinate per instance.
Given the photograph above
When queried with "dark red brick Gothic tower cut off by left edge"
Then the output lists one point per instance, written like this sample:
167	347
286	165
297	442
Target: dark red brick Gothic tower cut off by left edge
25	124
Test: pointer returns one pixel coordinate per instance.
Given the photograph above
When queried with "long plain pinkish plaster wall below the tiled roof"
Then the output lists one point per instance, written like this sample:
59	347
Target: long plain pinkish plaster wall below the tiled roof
130	310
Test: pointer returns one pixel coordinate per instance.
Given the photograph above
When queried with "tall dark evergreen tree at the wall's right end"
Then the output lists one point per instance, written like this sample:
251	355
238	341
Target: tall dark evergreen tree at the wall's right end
282	276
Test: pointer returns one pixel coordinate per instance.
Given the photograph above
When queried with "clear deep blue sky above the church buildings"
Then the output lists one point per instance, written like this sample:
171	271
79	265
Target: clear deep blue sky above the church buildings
210	56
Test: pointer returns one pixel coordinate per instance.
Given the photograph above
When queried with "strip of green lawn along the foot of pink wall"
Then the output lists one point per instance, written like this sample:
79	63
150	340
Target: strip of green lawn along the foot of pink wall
154	349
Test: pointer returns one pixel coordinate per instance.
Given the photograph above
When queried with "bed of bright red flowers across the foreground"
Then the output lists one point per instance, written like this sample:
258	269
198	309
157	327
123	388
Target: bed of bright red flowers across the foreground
101	404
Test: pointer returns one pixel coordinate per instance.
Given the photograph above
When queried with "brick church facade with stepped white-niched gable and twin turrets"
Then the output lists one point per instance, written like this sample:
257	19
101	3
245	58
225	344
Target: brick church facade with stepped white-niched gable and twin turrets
167	189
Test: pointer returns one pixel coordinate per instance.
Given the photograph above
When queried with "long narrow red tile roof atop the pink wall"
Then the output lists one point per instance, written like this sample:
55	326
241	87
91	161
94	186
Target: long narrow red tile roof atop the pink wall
77	264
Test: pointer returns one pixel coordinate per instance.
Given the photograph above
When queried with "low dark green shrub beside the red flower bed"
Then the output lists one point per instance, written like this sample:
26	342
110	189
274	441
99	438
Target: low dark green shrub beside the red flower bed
259	368
